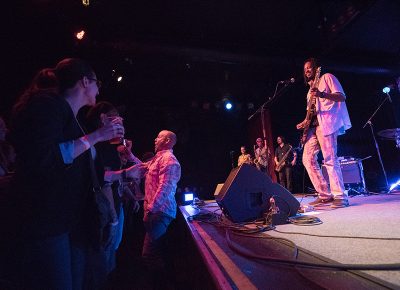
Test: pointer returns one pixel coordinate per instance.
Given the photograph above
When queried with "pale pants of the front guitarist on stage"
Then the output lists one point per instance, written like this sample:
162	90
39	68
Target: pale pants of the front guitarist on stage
315	142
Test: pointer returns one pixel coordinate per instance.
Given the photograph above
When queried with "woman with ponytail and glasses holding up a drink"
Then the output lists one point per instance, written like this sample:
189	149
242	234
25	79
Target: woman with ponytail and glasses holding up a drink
53	177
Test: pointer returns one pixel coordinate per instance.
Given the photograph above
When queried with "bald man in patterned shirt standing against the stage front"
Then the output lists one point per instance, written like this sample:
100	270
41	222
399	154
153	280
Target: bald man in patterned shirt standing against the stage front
164	172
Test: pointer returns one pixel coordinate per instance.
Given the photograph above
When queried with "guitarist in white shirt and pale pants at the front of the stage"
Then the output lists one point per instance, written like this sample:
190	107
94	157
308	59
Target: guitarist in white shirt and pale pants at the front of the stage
329	119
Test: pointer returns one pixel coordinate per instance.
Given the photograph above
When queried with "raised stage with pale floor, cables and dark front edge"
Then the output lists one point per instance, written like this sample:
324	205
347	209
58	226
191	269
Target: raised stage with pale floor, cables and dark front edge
365	234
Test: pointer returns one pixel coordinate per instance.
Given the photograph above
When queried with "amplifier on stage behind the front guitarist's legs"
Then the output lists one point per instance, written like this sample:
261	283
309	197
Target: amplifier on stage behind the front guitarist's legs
352	172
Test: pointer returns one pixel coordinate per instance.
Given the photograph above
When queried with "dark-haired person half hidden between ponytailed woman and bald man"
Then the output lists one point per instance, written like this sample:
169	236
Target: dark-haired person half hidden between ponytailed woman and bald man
100	262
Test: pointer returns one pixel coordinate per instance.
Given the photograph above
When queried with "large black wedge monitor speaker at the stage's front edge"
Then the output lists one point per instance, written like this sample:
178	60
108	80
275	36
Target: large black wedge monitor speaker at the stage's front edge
246	193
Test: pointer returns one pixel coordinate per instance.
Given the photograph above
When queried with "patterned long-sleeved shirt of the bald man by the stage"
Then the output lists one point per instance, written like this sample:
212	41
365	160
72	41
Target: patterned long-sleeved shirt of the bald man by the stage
164	172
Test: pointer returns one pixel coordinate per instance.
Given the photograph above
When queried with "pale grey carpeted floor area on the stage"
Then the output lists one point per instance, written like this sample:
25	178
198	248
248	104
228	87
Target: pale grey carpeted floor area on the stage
368	216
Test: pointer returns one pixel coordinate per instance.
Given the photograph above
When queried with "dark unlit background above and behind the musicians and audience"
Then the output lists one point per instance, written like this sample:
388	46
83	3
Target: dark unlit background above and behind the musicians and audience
180	59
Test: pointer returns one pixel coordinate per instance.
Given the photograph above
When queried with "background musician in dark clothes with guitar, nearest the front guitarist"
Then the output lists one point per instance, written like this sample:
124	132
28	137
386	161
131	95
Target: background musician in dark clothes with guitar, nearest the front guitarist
285	159
